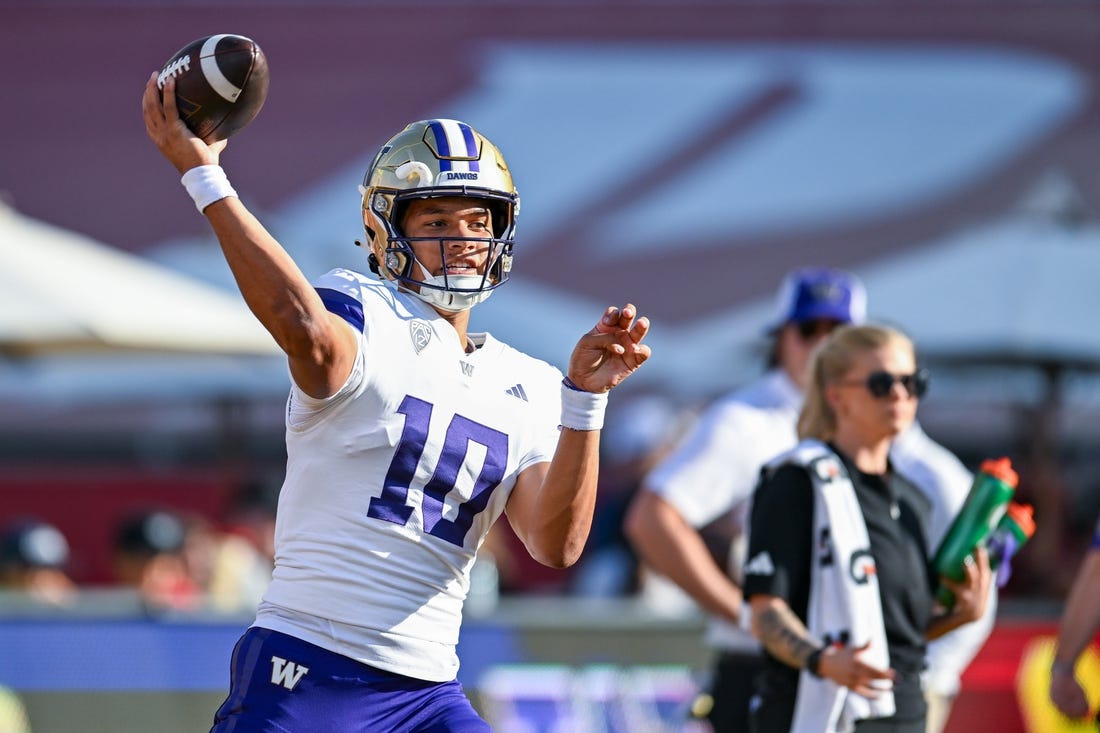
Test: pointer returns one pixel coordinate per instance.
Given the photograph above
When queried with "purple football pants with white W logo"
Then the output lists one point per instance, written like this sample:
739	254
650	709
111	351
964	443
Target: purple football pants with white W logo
280	684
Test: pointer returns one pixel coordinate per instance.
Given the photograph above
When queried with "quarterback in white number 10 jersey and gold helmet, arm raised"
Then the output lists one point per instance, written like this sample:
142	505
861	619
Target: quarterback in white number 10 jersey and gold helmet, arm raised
408	436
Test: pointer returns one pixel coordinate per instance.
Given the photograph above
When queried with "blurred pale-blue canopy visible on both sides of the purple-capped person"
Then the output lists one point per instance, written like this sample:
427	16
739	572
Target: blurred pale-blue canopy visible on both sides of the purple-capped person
1017	294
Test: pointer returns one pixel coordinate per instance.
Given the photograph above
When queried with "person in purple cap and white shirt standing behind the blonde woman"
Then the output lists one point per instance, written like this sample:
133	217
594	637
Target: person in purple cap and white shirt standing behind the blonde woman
709	482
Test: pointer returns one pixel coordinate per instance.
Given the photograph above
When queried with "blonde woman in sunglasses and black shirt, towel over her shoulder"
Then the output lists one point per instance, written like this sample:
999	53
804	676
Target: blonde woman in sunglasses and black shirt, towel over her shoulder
839	577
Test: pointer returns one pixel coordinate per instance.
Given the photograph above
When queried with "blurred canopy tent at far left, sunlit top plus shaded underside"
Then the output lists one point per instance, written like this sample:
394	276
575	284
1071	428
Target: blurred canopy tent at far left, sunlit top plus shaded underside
90	334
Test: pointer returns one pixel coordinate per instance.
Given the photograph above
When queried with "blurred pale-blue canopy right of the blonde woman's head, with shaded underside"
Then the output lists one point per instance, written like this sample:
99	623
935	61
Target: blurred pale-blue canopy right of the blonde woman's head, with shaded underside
1007	312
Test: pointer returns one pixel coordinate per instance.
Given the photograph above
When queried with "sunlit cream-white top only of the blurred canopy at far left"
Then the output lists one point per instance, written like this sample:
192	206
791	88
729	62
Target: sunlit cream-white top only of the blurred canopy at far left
62	292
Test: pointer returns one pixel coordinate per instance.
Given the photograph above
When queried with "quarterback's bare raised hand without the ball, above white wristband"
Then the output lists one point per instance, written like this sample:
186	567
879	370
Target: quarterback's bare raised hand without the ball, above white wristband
611	352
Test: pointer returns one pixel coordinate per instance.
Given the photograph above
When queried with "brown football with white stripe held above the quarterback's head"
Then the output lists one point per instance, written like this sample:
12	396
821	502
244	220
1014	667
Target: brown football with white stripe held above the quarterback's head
222	83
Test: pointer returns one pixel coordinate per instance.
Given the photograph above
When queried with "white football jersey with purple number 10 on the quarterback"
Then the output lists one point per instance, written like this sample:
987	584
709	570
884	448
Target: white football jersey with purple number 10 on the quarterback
393	484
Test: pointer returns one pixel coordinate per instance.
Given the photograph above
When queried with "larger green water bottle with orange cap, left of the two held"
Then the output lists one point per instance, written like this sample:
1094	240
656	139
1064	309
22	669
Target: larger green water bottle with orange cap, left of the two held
984	509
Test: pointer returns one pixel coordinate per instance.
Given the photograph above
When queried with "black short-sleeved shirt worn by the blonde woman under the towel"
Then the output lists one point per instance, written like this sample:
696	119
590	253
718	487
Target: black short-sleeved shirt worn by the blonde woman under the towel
897	517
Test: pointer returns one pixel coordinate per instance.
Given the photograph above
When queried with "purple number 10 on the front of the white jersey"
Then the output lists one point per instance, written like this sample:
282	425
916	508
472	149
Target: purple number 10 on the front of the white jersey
392	507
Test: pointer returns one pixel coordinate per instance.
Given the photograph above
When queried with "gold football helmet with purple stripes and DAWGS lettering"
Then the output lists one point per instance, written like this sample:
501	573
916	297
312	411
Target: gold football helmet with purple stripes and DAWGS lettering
433	159
